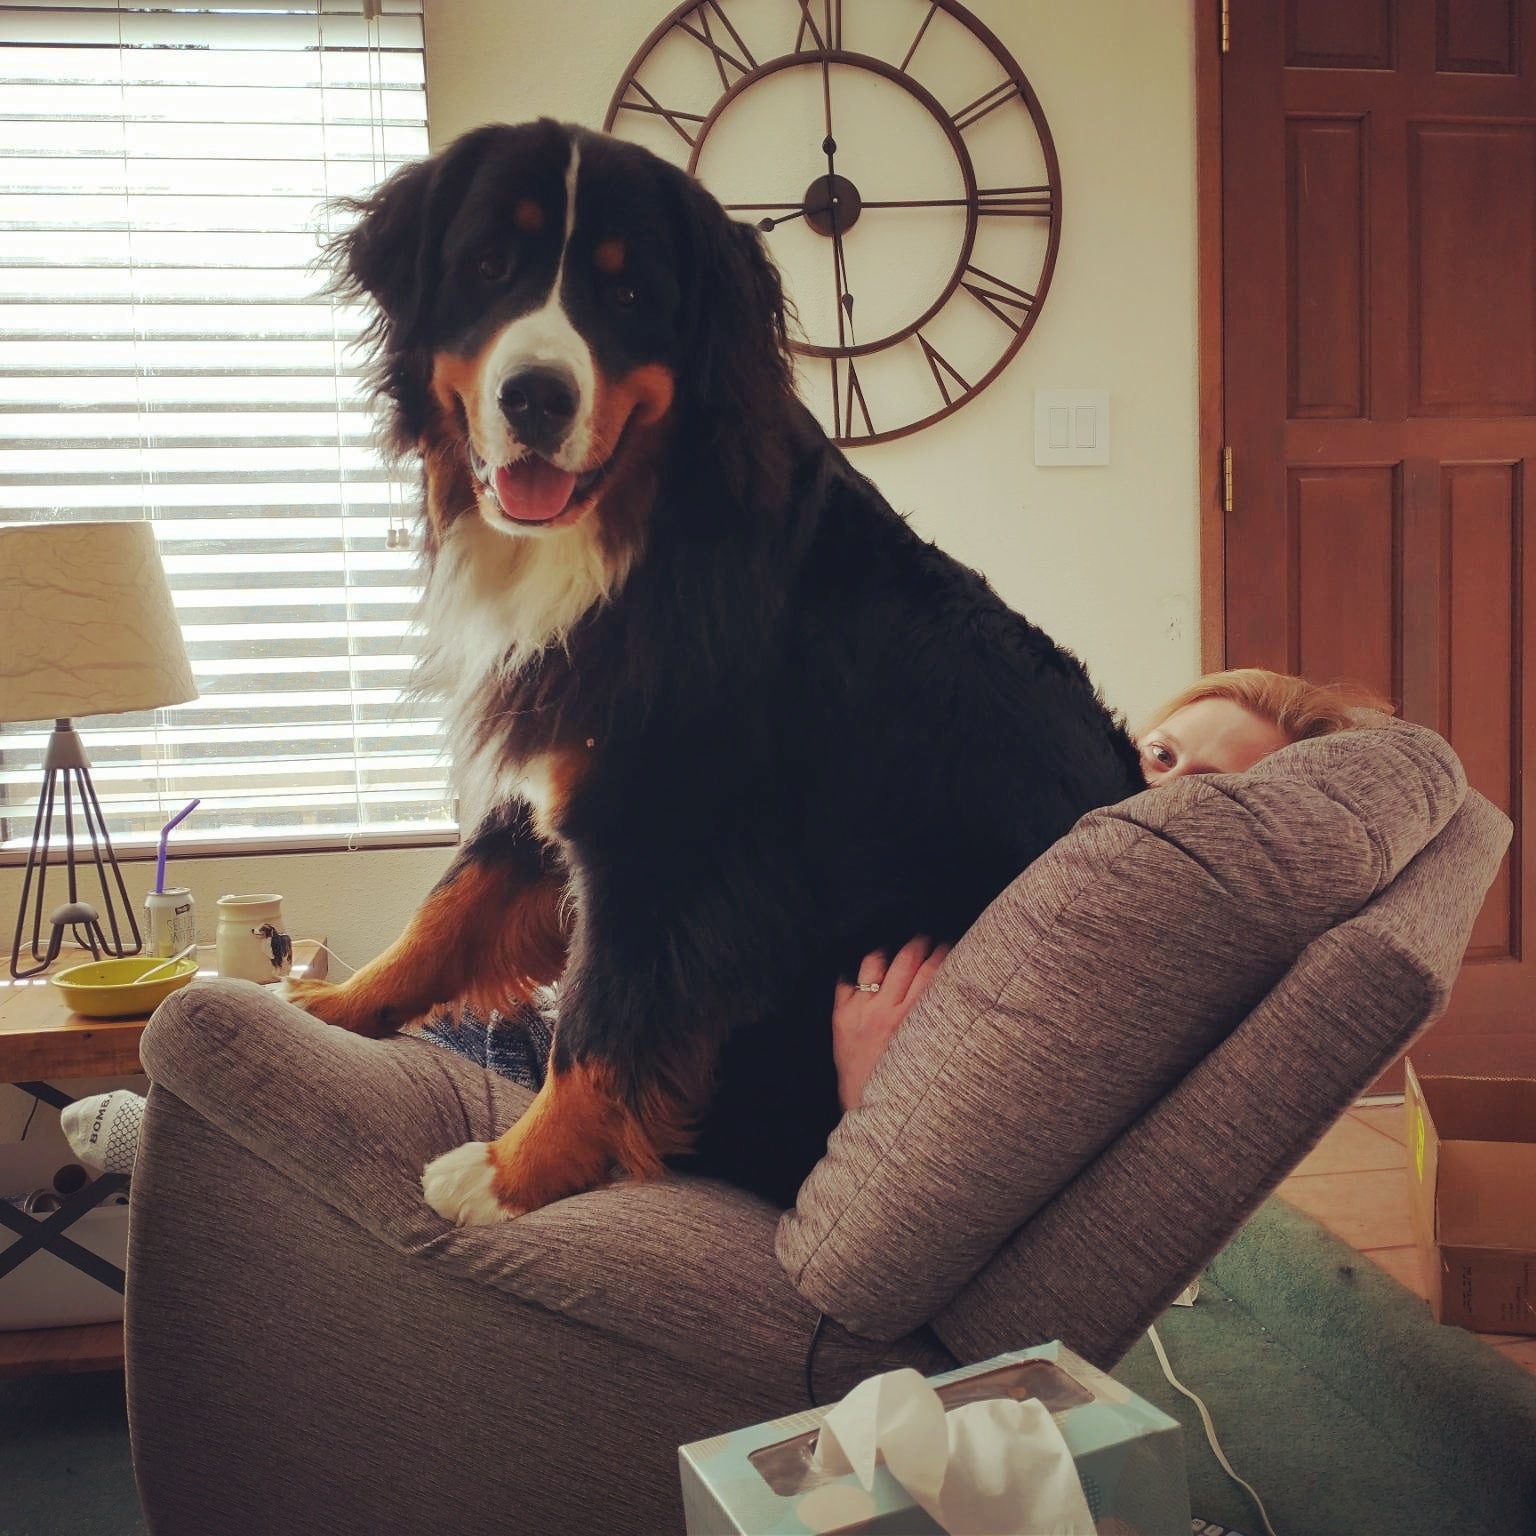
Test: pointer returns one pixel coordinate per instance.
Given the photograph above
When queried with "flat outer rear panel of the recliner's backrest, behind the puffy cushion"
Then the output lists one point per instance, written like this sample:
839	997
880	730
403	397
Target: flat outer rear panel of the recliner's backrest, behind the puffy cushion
1114	1248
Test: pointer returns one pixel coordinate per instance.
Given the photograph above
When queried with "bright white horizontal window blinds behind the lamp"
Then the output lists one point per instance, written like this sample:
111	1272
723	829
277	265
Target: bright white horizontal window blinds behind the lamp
165	354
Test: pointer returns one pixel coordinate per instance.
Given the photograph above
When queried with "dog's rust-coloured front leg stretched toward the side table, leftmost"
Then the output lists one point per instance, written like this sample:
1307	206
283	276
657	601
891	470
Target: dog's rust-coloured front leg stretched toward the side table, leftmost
491	932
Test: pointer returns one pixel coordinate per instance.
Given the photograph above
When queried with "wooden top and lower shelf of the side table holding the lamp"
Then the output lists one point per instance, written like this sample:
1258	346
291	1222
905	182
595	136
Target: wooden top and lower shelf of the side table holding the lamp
39	1041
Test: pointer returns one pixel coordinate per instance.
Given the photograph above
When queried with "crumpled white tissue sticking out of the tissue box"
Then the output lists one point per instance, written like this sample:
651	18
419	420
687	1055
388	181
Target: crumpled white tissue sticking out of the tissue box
981	1469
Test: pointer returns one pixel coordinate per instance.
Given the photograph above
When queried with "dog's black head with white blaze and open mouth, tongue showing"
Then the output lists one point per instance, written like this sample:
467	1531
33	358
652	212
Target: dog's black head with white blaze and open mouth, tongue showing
554	306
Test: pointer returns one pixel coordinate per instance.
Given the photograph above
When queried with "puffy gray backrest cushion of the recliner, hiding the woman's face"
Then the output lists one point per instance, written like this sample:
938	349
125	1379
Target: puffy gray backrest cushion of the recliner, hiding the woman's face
1085	993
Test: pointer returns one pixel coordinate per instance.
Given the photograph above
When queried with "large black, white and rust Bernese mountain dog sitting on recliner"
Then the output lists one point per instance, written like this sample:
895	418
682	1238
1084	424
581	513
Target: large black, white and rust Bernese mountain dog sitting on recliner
721	721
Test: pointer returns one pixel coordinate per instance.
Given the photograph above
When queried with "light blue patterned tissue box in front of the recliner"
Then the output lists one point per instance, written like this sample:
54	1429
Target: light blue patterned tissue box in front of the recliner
1128	1455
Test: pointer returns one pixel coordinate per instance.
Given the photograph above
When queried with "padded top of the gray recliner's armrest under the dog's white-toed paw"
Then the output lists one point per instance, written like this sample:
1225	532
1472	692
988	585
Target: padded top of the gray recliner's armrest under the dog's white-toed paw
684	1266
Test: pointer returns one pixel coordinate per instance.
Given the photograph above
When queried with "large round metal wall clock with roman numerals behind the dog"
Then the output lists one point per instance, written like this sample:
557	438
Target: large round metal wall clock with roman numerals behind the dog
901	168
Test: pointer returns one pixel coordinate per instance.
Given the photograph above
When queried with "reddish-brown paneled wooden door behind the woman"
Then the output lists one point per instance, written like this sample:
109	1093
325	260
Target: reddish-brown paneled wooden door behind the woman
1379	205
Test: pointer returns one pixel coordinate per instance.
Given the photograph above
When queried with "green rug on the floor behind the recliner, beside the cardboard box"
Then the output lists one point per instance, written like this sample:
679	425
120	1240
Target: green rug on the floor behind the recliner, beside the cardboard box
1339	1399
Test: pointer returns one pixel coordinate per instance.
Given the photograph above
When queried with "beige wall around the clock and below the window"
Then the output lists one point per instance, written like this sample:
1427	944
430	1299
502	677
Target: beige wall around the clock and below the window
1102	558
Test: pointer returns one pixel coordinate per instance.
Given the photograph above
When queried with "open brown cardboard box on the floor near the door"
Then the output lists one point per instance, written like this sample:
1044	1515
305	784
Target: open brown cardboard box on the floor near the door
1472	1183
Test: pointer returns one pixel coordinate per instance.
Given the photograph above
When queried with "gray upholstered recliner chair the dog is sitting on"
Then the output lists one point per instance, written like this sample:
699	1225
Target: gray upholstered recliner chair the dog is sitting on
313	1351
